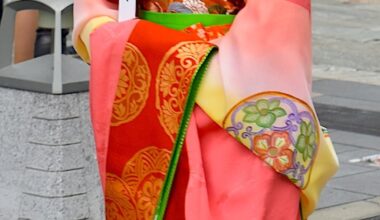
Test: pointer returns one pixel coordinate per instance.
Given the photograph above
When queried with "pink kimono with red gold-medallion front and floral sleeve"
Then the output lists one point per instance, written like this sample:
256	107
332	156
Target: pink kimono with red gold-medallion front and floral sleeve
211	119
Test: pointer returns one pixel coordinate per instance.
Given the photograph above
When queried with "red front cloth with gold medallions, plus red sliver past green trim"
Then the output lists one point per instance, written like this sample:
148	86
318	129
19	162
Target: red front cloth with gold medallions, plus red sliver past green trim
147	110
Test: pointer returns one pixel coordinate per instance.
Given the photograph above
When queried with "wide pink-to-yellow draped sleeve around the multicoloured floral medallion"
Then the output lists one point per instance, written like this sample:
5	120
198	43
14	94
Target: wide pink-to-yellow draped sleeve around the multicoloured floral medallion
268	52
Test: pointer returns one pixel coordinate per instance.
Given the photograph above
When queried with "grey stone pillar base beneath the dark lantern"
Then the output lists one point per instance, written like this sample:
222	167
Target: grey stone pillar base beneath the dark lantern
47	157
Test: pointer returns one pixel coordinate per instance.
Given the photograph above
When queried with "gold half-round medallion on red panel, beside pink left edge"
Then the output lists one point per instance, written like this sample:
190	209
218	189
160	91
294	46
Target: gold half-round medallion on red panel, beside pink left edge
133	87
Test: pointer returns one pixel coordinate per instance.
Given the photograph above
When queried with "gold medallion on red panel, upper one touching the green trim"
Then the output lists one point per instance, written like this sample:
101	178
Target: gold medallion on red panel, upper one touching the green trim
174	77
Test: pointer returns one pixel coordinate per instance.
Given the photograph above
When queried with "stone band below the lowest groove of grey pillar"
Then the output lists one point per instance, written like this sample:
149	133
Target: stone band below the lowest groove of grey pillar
69	208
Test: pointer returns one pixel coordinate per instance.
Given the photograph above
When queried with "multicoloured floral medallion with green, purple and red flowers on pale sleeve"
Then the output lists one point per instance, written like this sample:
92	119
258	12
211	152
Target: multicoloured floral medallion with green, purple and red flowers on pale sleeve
280	129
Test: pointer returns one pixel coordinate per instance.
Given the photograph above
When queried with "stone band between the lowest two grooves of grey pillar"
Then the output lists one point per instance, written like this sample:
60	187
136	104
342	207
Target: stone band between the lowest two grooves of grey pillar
54	184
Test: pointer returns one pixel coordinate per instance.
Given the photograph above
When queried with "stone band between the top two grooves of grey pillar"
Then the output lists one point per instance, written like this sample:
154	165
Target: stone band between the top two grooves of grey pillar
55	132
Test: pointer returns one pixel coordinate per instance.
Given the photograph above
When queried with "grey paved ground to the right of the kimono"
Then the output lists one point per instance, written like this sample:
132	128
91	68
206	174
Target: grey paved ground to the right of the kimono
346	39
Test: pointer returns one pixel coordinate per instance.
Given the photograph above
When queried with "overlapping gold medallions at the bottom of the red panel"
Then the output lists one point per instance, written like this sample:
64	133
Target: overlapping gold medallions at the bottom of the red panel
135	194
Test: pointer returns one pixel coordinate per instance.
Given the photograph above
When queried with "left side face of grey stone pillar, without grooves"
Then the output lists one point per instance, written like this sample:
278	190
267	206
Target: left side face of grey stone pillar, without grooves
14	124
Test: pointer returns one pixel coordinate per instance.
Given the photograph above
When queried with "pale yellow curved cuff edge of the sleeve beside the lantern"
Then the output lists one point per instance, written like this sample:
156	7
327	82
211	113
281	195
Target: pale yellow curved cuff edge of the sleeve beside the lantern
83	44
